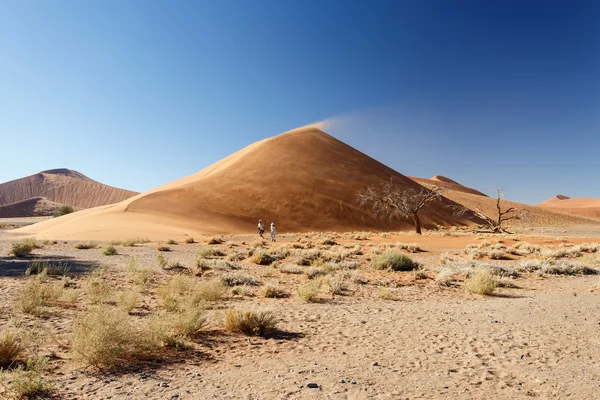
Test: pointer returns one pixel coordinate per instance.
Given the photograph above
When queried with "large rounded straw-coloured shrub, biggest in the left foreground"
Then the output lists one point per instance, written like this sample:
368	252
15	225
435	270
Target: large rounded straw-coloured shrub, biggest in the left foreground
105	336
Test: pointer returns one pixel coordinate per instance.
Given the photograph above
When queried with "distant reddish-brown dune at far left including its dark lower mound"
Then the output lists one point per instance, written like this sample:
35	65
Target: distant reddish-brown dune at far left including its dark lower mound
42	193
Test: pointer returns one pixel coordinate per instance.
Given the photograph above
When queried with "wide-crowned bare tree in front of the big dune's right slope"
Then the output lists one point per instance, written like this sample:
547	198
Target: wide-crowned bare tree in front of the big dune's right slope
397	201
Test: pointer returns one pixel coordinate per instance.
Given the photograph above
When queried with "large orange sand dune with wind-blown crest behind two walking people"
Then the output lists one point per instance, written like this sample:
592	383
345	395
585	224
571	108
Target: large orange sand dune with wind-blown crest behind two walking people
304	180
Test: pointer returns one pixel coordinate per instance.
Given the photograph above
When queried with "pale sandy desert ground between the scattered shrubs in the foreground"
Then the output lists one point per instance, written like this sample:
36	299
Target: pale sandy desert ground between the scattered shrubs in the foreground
537	340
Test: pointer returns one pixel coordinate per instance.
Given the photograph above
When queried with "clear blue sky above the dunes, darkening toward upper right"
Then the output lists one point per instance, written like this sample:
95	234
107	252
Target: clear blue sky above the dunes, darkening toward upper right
138	93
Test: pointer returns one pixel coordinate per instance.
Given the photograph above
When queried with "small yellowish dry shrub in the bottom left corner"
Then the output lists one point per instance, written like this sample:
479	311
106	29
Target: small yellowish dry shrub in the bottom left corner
27	381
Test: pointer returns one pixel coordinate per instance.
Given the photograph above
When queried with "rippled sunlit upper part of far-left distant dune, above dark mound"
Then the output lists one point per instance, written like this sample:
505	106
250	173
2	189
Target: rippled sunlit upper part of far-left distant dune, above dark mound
62	186
